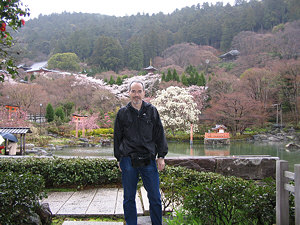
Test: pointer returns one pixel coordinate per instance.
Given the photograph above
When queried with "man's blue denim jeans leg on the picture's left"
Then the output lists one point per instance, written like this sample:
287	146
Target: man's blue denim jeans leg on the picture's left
129	180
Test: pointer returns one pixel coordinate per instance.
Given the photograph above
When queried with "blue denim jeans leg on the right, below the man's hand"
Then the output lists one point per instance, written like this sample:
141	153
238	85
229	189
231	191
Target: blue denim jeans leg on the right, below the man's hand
150	179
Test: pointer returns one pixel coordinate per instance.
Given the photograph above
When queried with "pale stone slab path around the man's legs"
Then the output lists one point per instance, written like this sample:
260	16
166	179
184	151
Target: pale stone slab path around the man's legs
95	202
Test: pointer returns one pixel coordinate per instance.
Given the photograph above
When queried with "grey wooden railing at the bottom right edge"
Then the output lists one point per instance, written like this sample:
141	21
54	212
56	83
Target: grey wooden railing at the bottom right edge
283	187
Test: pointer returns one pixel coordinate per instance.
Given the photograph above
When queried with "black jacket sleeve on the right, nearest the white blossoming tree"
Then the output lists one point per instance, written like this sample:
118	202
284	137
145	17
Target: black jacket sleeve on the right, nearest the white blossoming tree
159	136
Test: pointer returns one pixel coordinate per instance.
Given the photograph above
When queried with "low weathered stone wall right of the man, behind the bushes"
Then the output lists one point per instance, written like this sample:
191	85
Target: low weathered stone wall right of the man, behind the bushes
247	167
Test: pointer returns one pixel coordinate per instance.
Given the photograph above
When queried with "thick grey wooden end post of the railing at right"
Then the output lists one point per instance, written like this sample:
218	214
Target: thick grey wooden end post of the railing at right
282	195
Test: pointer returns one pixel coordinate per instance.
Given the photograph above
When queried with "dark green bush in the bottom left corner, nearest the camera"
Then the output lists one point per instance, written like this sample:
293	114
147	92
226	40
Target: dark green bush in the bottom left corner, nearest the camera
19	196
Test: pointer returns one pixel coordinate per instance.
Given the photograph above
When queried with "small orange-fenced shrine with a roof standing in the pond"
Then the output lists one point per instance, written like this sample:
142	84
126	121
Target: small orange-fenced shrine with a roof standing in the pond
219	136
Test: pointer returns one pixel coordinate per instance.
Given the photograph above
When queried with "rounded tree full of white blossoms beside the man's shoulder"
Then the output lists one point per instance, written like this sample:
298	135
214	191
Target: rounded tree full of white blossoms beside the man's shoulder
177	109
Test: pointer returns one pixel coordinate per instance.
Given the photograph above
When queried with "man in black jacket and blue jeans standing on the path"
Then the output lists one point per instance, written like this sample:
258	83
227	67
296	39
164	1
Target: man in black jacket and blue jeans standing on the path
138	139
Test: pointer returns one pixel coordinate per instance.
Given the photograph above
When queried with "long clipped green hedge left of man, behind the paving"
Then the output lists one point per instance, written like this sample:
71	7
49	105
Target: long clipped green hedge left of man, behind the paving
59	172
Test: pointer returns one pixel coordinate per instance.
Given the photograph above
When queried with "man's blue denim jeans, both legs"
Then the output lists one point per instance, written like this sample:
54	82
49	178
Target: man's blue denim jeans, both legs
130	178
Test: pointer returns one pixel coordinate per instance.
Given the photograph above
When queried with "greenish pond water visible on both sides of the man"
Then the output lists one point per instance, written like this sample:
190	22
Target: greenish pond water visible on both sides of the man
197	149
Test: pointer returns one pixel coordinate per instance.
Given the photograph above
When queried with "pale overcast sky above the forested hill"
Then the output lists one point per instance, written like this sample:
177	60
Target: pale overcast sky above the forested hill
111	7
